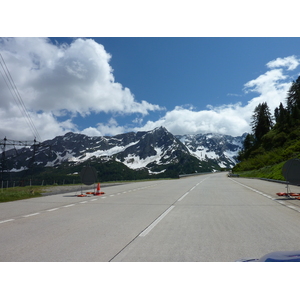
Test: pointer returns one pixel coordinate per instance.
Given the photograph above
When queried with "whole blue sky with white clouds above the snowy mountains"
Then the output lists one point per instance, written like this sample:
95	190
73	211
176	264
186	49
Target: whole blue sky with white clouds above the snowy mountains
111	85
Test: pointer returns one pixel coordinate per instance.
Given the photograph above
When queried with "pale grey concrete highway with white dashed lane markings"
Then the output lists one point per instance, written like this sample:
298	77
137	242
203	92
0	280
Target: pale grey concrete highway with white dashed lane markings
200	218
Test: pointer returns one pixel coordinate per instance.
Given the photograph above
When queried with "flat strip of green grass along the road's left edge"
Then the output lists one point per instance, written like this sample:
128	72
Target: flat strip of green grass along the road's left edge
19	193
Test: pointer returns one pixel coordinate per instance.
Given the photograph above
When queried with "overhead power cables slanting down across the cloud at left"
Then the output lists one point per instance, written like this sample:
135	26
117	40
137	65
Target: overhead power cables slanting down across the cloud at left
17	97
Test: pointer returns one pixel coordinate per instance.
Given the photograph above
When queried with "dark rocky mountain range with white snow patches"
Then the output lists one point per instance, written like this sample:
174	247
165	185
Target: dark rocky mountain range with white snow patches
155	151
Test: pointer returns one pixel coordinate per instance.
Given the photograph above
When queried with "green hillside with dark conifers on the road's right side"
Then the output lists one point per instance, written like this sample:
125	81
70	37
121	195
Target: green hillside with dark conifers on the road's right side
274	138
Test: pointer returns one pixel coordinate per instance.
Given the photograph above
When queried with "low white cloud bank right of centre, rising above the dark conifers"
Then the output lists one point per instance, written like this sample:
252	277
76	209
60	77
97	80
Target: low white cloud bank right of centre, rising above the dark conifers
232	119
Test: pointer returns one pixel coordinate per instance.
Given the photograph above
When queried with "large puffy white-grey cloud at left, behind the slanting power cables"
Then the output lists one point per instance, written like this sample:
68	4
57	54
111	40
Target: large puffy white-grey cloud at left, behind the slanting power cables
60	80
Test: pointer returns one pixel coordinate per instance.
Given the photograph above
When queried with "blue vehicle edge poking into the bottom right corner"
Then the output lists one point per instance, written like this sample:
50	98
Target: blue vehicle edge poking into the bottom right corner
279	256
